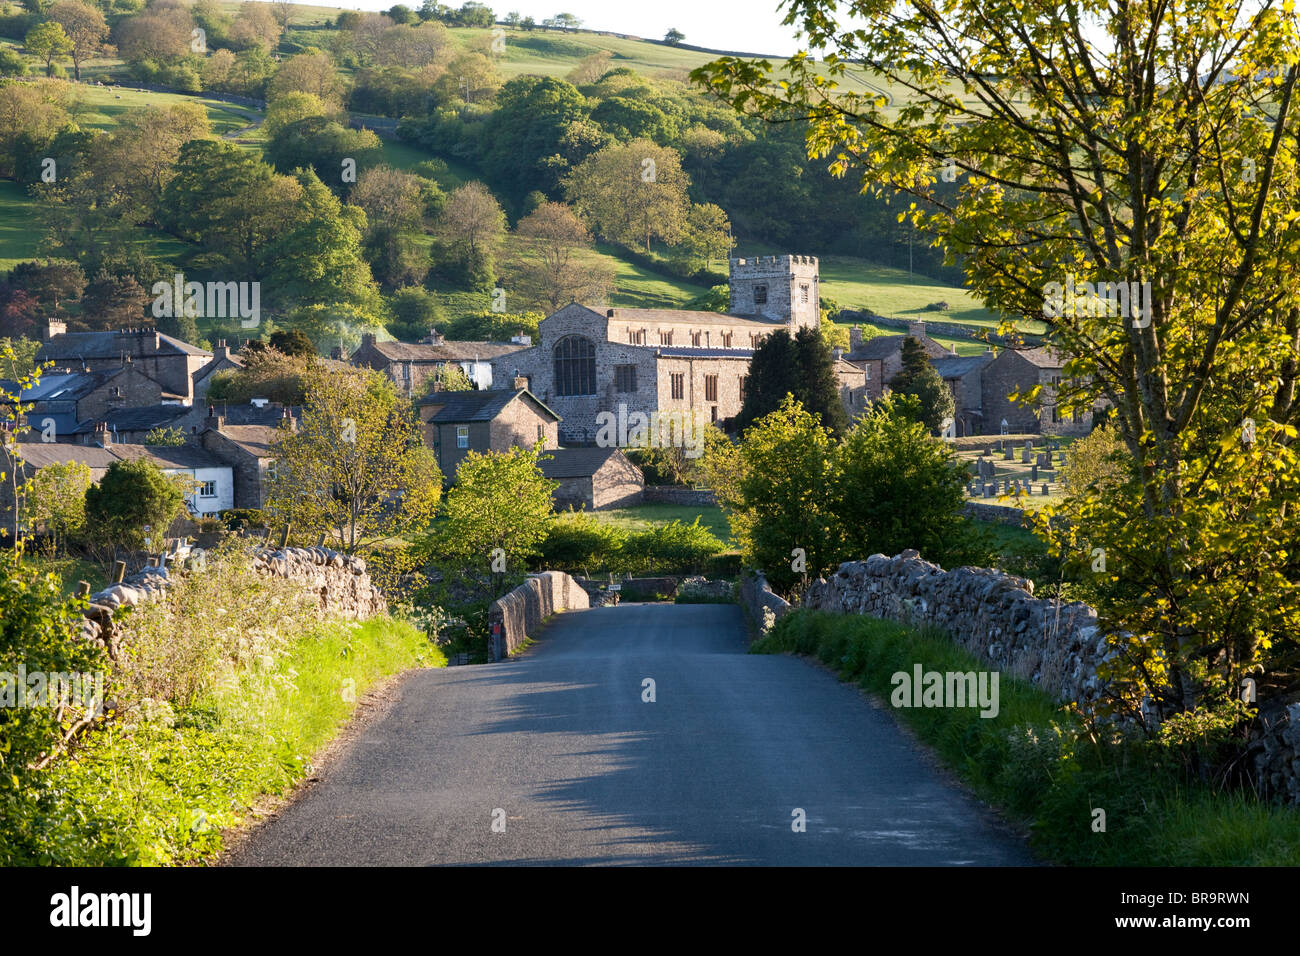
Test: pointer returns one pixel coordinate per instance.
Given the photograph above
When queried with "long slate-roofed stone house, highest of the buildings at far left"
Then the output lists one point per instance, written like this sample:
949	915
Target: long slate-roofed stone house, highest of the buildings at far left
167	361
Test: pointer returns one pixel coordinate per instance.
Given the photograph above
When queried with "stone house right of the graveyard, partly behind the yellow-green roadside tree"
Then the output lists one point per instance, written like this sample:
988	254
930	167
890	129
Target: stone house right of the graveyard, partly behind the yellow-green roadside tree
1021	370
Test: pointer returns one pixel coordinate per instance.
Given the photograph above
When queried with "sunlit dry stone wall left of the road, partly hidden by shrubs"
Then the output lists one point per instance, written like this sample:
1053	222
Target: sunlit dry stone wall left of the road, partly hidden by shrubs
341	582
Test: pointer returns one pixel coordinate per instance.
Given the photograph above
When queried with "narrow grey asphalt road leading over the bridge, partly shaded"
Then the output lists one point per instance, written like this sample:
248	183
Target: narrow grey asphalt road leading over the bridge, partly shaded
590	773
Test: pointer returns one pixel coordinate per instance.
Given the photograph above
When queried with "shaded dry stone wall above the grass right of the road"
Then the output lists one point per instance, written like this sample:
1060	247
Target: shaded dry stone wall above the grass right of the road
994	616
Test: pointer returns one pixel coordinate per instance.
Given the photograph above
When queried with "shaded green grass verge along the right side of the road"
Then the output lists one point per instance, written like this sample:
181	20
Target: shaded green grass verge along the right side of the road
1035	762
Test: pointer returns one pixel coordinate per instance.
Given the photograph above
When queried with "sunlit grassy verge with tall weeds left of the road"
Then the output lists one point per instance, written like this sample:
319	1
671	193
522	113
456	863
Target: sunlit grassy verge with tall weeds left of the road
161	788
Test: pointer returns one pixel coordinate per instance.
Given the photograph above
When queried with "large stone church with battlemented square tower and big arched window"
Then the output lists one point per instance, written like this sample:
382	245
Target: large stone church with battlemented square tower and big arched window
666	361
